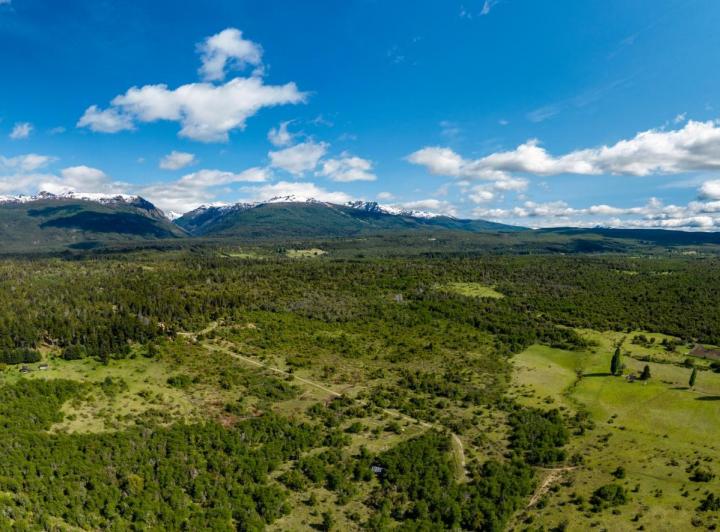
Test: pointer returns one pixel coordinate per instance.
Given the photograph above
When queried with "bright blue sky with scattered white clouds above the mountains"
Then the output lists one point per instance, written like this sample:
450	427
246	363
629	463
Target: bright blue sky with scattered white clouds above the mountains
539	113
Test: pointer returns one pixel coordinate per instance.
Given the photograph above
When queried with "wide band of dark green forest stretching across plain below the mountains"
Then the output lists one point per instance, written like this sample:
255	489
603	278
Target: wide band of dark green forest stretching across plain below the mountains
103	305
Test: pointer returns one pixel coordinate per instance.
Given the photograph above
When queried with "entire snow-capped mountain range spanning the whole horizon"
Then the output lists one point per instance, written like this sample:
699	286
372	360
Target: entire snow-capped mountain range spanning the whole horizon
50	221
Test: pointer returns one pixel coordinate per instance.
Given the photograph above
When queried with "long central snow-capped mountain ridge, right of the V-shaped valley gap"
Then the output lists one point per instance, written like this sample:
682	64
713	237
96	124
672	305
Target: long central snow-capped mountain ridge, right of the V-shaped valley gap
296	217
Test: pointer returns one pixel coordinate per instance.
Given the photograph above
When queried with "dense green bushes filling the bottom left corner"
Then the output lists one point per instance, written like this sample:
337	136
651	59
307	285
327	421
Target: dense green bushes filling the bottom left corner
195	477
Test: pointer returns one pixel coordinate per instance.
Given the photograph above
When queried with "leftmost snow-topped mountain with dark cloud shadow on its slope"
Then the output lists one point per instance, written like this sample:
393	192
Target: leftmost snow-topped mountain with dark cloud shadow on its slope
48	221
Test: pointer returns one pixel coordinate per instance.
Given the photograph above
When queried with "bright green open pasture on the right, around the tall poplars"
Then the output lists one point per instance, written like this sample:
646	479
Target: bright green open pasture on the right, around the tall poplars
657	431
